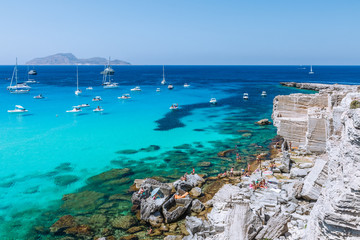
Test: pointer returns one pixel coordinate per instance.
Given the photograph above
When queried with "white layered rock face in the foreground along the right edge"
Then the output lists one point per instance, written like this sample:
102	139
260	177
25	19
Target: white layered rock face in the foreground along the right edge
336	214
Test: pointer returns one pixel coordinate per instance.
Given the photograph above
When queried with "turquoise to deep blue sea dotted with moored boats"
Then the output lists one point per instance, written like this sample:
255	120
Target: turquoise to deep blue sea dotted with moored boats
47	152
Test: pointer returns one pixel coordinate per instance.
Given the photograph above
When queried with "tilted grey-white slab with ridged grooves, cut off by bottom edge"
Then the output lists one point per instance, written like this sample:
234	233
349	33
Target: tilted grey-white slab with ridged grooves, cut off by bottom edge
275	227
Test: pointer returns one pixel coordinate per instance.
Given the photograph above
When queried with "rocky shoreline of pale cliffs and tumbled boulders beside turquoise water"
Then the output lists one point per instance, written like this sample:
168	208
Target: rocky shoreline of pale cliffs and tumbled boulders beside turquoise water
308	189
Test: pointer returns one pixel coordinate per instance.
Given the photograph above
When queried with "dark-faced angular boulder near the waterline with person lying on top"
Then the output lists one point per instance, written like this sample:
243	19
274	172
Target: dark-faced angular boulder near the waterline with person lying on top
173	209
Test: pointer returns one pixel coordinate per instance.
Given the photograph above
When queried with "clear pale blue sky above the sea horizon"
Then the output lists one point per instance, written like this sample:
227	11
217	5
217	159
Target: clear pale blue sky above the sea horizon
184	32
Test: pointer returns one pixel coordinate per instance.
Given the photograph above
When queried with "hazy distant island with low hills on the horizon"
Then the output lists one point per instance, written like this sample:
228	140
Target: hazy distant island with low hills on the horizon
70	59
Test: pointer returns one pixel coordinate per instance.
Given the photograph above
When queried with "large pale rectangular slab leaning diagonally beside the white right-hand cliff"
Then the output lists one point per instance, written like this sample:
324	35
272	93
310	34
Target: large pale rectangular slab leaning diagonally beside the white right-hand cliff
315	180
